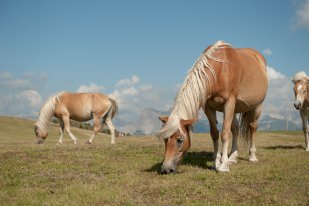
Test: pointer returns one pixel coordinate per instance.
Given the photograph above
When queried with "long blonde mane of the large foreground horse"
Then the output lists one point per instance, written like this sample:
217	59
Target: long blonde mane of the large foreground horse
193	92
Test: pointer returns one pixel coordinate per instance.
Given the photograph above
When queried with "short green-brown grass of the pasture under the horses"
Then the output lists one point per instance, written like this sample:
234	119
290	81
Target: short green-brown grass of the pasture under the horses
127	173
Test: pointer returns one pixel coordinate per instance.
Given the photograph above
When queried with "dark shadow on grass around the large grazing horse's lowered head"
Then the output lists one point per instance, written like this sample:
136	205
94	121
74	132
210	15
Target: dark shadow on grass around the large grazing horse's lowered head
198	159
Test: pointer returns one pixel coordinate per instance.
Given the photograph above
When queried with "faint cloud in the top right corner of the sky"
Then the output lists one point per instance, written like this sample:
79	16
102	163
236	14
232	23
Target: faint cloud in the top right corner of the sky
302	15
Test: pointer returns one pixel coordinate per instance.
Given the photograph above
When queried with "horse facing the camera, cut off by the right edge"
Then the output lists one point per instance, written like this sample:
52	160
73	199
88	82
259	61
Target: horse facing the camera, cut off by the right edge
301	91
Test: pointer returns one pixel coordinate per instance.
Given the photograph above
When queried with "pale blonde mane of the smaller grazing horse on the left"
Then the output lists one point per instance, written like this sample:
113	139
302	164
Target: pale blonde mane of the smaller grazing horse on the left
47	111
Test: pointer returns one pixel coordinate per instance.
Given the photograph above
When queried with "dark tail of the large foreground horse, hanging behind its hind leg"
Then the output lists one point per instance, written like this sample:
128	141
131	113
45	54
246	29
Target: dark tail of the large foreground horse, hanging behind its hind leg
246	119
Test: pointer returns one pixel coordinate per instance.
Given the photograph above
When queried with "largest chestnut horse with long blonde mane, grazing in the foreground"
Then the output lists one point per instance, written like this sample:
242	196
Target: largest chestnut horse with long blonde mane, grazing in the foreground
223	79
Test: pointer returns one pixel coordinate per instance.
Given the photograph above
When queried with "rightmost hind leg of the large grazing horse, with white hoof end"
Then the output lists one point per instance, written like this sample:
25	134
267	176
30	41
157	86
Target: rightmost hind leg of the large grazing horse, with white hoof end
253	128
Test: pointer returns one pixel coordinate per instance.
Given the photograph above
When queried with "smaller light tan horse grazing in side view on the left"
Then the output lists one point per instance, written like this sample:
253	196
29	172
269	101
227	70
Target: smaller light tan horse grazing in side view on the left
80	107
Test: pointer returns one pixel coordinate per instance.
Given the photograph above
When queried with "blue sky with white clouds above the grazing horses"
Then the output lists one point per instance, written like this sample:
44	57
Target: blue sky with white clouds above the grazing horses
136	51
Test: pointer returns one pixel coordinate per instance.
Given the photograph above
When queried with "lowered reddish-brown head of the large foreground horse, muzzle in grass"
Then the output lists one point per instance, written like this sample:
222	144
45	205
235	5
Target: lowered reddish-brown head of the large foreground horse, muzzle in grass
176	145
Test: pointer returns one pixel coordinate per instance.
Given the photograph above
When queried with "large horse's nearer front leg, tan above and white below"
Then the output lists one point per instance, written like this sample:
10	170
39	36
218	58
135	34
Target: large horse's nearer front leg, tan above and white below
229	109
